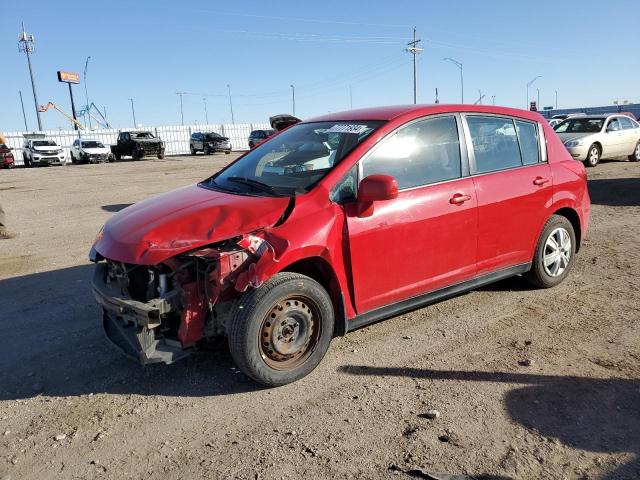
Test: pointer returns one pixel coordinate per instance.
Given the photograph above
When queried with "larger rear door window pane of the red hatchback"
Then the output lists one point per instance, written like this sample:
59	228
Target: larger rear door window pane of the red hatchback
495	143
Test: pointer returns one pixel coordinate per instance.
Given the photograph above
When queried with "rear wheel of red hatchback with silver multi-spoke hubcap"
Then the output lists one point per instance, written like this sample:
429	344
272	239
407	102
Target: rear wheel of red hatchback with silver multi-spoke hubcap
555	253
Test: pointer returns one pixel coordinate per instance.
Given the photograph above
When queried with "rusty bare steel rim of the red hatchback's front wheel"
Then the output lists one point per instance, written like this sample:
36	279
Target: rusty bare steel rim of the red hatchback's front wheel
289	333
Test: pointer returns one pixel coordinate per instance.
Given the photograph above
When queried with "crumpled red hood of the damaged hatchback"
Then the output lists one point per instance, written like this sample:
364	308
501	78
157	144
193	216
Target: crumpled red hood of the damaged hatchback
156	229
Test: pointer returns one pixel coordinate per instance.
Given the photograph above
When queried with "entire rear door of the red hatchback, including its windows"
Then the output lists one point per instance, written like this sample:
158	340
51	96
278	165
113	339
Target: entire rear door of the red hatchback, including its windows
513	185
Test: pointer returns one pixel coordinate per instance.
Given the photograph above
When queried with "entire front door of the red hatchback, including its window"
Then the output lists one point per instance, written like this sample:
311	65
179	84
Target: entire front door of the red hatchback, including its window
424	239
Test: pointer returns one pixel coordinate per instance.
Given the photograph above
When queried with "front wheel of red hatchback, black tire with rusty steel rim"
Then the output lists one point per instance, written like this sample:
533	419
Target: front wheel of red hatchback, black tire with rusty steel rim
280	332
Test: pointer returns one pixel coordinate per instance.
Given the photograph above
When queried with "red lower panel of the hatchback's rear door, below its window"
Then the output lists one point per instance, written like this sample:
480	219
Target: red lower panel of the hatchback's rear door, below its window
512	206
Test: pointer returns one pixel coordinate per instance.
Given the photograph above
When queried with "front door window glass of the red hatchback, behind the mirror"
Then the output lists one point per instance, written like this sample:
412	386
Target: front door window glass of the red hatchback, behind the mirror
422	153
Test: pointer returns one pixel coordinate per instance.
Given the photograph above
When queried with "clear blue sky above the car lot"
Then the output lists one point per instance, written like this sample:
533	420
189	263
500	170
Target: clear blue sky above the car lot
148	50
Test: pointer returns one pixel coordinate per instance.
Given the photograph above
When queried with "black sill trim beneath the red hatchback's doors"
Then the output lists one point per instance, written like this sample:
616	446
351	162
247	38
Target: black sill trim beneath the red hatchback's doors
413	303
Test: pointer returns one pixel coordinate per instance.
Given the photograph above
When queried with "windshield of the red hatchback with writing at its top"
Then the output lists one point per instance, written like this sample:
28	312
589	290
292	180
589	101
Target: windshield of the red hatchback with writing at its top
294	161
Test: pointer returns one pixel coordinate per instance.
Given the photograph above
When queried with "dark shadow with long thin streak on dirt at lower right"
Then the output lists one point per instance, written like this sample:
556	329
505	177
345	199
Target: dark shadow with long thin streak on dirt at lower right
593	414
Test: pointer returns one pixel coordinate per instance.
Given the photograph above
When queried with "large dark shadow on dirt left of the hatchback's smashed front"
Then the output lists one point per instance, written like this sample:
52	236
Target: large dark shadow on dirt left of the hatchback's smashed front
53	345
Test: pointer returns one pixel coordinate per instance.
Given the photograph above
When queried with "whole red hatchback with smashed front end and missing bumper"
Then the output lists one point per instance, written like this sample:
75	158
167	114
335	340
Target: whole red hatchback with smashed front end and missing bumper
335	223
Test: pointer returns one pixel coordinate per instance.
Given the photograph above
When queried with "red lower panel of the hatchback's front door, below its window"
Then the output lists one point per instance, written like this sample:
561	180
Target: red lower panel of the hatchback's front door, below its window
418	242
